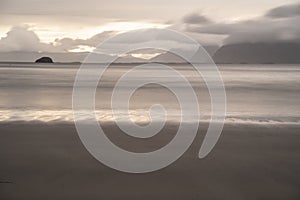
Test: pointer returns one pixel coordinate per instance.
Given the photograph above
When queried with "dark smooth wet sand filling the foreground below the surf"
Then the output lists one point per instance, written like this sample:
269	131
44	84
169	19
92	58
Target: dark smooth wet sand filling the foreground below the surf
40	161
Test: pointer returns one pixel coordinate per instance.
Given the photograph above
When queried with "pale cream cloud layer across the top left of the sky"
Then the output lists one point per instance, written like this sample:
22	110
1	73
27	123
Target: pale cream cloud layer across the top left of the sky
89	12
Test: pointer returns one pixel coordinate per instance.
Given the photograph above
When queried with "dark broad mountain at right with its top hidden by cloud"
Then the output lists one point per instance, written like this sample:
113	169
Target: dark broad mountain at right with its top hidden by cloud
254	53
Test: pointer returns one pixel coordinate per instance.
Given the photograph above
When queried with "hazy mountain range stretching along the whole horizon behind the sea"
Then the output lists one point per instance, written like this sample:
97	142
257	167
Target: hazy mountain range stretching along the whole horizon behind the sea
252	53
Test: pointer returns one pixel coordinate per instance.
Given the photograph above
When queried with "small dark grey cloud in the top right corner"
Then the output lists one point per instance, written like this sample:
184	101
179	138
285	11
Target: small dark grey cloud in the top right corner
284	11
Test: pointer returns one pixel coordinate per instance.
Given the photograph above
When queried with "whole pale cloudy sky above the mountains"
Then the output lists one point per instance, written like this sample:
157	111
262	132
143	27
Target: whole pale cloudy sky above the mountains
78	26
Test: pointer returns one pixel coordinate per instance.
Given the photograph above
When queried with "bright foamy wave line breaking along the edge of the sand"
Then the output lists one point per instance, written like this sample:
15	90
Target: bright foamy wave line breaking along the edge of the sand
137	116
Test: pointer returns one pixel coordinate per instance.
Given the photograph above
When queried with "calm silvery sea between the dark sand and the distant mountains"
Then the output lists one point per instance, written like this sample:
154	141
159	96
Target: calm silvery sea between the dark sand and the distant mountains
264	94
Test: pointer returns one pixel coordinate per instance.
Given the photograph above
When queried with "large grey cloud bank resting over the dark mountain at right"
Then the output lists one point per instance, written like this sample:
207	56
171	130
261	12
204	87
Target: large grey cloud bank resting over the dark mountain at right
261	29
